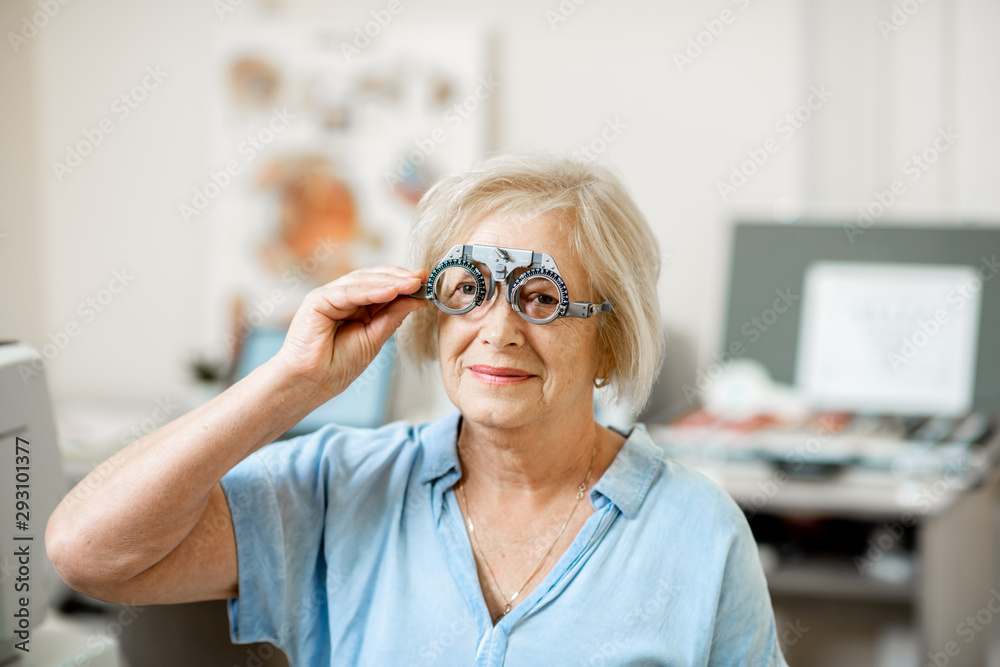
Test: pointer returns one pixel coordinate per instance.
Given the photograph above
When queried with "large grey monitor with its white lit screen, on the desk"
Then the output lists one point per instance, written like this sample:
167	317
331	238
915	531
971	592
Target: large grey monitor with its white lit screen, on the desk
770	267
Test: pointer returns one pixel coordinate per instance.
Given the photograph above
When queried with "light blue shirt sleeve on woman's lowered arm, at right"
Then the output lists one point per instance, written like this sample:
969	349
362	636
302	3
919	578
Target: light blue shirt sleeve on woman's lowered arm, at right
744	632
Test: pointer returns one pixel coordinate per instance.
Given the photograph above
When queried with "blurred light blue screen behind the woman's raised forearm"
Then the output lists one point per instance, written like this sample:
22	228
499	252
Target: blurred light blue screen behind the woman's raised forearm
363	404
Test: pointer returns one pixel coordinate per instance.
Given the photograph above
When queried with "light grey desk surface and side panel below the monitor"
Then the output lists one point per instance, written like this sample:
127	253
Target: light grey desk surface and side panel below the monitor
955	556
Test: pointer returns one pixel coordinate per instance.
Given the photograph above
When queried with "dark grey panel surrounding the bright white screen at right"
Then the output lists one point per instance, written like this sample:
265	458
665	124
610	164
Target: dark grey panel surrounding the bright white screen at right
770	264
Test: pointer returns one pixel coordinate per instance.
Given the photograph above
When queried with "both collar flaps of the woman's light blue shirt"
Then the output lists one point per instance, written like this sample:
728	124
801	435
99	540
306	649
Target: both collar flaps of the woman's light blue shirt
625	482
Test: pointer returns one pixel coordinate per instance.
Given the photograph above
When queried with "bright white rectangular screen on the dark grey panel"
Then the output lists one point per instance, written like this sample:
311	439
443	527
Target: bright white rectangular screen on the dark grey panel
888	337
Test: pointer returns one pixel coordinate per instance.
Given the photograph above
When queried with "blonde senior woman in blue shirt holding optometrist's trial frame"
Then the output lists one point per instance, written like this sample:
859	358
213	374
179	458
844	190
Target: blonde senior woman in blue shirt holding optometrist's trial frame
514	530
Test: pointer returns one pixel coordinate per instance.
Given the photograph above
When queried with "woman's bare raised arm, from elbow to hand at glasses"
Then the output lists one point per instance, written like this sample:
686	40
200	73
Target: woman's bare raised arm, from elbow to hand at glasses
155	526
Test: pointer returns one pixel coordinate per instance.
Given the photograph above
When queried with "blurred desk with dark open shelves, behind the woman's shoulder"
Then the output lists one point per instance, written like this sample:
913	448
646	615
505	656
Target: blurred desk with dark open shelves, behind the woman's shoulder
863	549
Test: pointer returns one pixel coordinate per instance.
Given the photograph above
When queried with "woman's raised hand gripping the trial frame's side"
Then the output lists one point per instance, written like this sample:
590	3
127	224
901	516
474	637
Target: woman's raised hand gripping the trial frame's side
341	326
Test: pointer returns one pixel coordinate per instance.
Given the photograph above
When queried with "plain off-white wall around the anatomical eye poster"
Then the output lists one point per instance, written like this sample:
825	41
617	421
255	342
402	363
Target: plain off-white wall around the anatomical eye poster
685	130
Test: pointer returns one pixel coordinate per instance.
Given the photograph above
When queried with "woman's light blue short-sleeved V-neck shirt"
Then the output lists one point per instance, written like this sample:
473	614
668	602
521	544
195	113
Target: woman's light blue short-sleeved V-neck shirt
352	551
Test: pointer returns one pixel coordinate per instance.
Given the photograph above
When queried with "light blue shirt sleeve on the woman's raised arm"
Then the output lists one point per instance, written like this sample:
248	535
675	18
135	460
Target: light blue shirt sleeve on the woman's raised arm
276	497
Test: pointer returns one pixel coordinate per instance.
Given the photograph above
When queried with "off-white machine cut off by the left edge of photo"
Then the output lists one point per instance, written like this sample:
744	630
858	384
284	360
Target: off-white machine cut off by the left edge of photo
32	483
